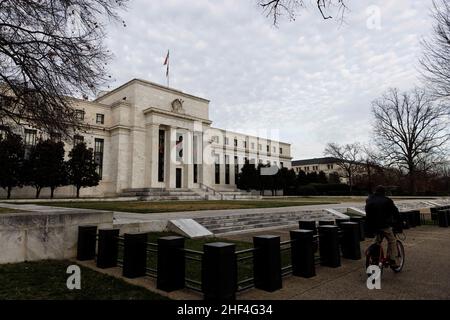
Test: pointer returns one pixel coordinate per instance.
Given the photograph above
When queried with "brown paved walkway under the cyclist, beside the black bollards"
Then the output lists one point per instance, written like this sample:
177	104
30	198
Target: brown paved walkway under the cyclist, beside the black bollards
425	275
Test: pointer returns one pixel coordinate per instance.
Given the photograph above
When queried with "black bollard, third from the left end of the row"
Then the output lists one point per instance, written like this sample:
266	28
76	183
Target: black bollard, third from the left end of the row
134	255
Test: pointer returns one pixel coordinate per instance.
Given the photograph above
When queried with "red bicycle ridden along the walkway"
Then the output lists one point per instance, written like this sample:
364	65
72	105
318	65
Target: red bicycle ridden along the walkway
375	256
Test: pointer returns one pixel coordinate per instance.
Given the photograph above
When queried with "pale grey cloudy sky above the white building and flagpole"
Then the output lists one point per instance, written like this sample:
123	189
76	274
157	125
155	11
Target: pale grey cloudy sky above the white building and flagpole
307	82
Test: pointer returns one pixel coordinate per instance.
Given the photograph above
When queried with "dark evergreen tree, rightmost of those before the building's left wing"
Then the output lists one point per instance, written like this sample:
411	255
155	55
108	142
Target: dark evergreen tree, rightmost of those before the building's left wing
82	168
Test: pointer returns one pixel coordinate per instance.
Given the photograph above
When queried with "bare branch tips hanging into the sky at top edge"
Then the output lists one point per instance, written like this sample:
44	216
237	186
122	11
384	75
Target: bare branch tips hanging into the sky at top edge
278	8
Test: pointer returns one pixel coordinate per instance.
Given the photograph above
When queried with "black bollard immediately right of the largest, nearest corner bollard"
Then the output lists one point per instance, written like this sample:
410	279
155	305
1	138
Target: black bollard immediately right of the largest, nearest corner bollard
267	263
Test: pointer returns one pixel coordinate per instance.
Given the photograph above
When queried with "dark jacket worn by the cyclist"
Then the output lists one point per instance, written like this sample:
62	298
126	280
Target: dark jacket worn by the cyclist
381	213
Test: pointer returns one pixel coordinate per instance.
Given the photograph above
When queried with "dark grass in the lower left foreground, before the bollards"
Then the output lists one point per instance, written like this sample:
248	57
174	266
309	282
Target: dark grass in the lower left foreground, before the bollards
46	280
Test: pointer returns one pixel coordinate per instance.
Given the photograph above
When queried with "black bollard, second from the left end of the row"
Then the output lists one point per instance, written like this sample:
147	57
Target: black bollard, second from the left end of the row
108	247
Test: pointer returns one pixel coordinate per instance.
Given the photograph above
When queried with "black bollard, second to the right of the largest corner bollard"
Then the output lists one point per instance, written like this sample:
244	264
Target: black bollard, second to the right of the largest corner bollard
302	253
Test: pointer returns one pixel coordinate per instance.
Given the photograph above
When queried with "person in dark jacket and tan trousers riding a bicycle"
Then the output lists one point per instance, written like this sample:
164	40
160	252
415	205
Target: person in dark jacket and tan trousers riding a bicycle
381	217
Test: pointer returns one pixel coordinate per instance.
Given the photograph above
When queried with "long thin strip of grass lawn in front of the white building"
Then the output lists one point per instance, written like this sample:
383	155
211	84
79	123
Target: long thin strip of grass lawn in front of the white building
172	206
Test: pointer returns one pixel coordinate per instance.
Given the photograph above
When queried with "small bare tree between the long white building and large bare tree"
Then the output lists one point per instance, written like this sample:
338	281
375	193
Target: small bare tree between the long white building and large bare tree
348	158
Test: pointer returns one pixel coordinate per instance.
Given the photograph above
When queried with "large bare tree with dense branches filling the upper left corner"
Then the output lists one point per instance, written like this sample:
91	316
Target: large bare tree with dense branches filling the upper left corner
51	49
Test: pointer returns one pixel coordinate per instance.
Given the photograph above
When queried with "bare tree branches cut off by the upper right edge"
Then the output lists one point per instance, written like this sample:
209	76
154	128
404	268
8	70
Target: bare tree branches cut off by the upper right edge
435	61
